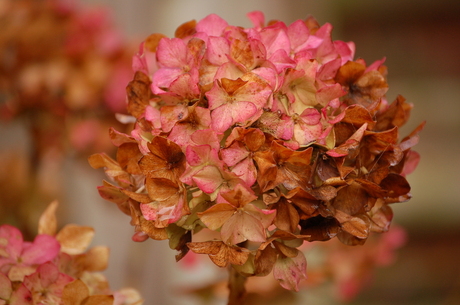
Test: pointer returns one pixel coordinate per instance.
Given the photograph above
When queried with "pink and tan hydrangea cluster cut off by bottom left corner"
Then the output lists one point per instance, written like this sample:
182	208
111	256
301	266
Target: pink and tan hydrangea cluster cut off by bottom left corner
55	267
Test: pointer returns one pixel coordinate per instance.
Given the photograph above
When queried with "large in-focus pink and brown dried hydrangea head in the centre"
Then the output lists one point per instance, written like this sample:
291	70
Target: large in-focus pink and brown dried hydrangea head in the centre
269	136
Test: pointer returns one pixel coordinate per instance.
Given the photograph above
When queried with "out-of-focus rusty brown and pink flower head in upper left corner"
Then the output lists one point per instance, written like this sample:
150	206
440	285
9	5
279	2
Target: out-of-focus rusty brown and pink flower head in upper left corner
63	67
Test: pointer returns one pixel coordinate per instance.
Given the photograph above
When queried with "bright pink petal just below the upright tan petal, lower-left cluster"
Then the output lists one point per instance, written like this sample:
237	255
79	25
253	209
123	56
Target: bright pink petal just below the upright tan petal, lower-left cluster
44	248
